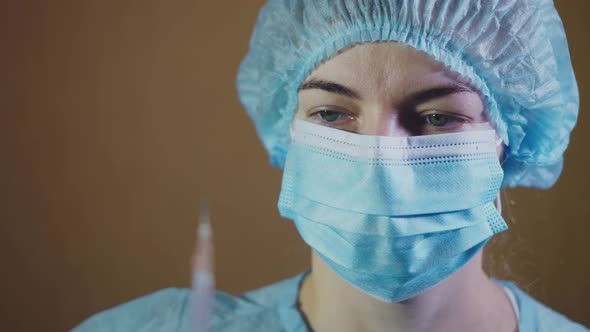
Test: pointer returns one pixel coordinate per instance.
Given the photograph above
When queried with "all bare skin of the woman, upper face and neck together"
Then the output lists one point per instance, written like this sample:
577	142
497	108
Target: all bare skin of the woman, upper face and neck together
379	89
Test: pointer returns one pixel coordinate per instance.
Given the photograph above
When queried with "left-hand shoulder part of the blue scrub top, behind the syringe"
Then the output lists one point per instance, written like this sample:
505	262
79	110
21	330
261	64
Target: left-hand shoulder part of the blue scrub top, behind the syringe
272	308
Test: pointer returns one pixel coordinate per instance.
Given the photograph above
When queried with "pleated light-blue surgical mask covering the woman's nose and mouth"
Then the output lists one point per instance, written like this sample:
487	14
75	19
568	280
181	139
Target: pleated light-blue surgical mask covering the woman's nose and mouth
393	216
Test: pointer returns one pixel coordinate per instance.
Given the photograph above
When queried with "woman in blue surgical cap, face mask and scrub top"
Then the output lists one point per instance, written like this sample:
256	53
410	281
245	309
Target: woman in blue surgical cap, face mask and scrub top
396	123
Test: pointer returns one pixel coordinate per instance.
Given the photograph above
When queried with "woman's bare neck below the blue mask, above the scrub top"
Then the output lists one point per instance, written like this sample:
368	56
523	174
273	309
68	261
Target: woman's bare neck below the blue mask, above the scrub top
466	301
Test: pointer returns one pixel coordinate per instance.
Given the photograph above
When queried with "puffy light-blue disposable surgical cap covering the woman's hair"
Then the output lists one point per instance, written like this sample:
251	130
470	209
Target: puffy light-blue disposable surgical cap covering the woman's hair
514	52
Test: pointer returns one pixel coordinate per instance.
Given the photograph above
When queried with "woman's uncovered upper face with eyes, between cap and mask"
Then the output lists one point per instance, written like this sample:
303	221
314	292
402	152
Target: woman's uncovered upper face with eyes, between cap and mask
389	89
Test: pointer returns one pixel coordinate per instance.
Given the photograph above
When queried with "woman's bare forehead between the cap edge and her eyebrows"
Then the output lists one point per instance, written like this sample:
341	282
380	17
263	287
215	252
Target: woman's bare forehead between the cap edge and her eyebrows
384	67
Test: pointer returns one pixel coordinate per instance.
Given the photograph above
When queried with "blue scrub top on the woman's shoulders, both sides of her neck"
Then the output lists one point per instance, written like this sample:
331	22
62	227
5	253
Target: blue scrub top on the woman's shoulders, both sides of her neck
272	308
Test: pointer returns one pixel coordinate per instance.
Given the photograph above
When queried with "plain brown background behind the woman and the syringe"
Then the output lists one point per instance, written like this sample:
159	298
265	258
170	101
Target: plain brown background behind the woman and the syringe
116	117
